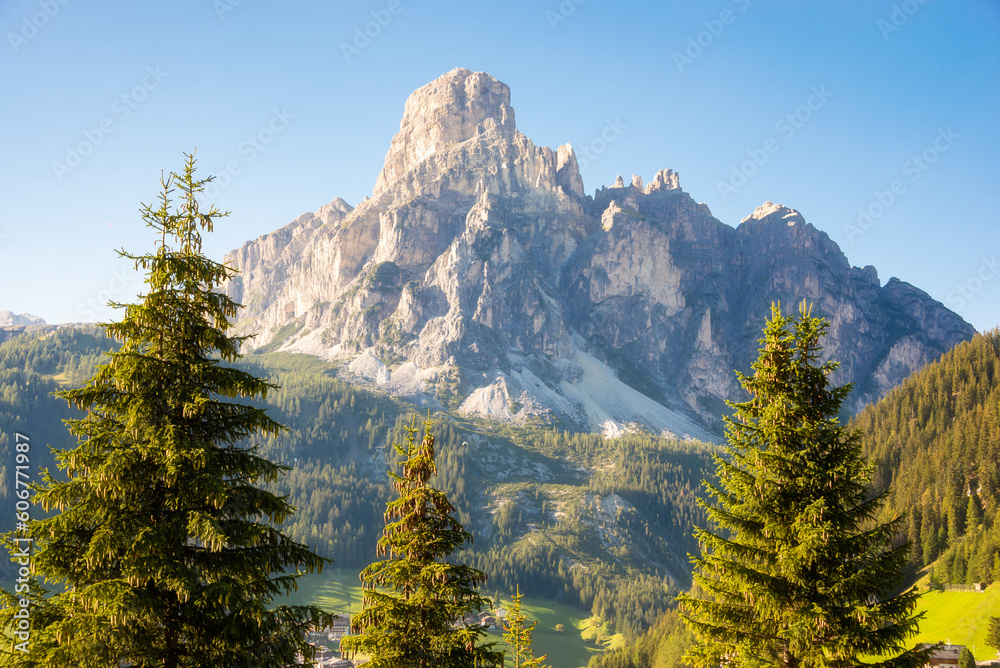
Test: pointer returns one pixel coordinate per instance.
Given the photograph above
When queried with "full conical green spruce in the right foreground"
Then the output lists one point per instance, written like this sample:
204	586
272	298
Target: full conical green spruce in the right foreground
798	571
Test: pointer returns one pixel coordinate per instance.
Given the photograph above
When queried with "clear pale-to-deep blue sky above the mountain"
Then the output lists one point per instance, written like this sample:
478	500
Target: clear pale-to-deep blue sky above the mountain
834	100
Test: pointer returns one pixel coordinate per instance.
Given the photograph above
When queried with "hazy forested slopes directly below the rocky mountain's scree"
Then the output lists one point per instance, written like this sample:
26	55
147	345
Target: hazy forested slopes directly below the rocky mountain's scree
601	524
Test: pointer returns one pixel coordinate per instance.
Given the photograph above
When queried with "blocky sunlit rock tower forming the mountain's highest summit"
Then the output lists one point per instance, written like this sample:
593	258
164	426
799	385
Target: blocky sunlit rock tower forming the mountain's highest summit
454	108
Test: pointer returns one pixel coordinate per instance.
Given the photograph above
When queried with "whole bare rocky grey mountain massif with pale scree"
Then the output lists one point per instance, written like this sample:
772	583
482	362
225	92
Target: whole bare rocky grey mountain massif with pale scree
480	276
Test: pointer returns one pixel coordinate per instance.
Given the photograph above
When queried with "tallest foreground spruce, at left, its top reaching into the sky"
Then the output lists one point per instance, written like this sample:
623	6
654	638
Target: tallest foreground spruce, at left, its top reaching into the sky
163	546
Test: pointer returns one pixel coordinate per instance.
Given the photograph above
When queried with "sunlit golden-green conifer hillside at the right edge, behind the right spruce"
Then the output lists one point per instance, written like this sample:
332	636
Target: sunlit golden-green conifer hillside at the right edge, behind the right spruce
935	441
